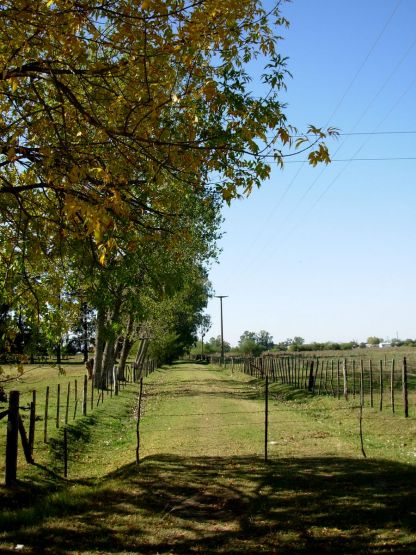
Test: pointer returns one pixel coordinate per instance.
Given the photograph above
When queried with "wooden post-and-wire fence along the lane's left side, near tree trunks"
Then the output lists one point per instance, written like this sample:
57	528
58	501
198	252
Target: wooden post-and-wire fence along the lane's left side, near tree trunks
39	416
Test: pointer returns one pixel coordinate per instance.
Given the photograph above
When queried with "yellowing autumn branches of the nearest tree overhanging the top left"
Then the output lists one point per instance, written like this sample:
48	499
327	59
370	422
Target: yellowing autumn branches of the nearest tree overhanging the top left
105	102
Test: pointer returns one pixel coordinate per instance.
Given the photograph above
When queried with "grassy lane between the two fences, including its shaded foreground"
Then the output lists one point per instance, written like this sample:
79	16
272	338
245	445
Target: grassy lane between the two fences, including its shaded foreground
202	485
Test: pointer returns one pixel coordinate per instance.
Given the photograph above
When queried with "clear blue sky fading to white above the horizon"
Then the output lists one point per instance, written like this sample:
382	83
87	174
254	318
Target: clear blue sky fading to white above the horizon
329	253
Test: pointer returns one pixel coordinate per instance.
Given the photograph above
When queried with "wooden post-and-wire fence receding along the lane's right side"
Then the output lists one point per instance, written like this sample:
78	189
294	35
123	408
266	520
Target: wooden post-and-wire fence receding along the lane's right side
384	384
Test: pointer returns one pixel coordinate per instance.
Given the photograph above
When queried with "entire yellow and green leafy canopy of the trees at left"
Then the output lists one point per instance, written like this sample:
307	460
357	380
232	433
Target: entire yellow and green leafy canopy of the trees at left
124	124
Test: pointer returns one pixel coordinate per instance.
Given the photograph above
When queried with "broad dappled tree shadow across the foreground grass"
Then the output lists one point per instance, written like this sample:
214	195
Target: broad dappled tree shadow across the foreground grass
236	505
